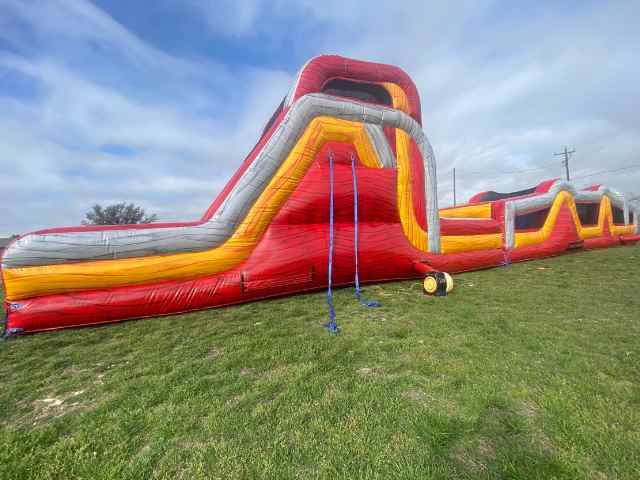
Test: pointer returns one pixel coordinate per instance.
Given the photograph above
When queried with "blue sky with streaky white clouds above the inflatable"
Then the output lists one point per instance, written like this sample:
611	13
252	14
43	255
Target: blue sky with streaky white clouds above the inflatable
158	102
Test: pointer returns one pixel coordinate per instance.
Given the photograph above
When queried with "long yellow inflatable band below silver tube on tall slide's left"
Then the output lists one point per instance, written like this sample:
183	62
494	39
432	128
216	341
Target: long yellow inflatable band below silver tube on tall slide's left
29	282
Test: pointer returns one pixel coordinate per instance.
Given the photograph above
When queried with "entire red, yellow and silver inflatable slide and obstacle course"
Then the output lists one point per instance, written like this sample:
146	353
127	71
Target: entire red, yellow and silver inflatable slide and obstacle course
340	189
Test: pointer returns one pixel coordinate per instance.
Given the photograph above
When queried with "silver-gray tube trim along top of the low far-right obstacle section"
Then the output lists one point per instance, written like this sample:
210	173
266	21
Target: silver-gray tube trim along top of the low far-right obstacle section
531	204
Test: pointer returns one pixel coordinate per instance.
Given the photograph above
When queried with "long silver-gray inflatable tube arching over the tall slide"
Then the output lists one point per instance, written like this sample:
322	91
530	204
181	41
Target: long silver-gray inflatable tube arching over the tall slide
55	248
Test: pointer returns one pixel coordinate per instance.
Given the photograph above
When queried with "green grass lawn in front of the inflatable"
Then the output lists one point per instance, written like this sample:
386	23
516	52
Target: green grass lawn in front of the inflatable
529	371
